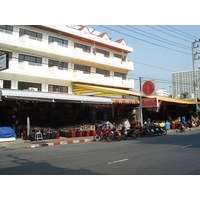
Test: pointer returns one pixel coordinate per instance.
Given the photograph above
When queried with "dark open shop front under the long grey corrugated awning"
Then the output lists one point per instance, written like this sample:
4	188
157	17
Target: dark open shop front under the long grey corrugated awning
49	111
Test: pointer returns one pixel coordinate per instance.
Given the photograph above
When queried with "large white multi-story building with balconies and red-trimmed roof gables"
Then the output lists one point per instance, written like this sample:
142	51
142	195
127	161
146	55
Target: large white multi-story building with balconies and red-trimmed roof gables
51	58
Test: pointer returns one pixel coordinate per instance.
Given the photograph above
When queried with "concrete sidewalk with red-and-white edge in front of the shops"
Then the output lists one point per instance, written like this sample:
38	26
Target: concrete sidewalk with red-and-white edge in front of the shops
19	143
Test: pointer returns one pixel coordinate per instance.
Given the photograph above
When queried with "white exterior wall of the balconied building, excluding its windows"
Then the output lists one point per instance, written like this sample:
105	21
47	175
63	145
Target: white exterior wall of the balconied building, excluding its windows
45	75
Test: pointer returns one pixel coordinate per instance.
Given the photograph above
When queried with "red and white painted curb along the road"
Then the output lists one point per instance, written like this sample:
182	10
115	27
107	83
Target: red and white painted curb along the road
58	143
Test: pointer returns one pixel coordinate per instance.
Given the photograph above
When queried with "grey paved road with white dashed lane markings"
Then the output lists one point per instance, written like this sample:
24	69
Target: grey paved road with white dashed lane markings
176	153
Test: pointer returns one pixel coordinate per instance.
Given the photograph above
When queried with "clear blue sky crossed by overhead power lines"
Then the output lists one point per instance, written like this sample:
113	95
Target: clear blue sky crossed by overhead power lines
162	60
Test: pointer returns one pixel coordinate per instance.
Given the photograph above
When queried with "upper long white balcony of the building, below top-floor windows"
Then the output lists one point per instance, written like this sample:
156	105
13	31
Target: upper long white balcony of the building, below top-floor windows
31	44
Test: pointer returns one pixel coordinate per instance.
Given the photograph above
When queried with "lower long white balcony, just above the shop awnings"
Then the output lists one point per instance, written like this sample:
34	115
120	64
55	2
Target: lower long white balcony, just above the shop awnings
42	70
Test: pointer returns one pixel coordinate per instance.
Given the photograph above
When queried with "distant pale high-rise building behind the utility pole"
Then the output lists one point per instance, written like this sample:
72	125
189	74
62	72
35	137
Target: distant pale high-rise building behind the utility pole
183	82
